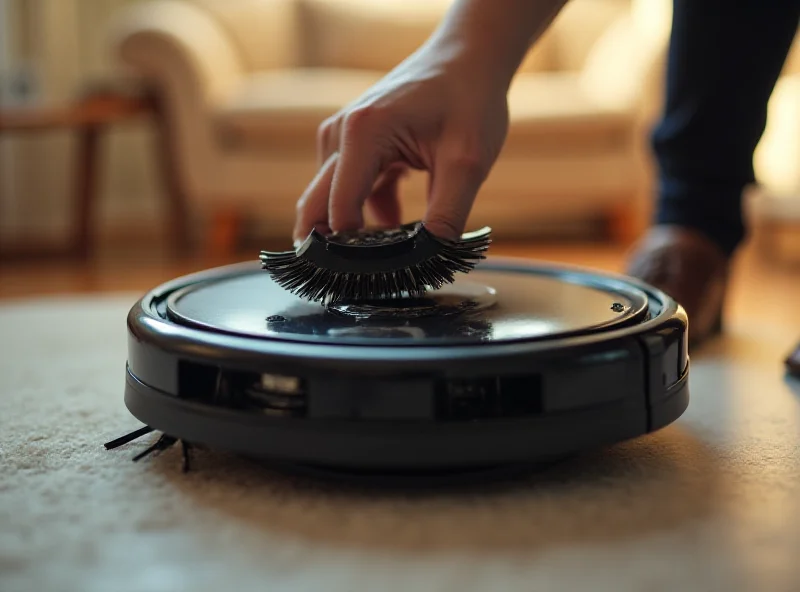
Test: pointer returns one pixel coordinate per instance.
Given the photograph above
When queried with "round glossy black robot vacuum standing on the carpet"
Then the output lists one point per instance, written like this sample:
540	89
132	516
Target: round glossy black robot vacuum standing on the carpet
513	364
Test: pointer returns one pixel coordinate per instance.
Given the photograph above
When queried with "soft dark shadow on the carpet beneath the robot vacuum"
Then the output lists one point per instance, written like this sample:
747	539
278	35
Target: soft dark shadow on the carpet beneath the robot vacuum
658	482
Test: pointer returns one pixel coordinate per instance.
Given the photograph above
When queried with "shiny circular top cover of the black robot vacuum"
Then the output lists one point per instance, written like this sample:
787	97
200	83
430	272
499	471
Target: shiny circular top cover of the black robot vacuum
490	305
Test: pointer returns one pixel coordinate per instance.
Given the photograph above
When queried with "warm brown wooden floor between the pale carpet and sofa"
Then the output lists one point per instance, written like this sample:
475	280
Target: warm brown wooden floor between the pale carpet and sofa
762	291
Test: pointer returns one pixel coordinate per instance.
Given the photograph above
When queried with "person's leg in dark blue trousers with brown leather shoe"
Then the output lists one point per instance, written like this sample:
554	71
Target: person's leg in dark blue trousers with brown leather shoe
724	59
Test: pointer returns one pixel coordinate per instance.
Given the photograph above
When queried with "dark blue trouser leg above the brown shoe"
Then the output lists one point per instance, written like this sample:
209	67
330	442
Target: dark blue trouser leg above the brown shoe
724	59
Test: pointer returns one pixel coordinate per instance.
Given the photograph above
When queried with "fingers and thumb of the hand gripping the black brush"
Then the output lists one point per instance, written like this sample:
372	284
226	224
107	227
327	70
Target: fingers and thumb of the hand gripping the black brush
357	155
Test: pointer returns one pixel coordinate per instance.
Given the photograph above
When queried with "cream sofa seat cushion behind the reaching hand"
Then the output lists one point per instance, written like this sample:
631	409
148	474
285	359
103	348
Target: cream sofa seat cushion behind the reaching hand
281	111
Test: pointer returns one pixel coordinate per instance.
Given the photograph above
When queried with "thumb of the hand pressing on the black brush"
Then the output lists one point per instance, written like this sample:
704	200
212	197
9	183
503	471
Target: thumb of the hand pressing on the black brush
456	180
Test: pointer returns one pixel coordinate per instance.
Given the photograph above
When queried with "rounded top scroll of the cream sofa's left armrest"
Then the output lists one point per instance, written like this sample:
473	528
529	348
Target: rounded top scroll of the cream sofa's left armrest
178	47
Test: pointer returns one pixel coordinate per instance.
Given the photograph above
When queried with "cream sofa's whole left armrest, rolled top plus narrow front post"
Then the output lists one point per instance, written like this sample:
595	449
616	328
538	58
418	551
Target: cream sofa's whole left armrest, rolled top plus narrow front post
182	53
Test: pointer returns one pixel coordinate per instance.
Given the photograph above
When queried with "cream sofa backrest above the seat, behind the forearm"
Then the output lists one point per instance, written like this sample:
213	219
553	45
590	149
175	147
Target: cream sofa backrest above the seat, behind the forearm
379	34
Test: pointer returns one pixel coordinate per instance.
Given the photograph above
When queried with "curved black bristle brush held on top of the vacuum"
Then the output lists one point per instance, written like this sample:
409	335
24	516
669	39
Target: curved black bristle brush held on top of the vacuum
433	265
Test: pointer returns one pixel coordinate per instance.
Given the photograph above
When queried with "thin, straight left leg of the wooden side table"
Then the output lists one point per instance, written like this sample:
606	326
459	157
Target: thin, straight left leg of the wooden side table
85	191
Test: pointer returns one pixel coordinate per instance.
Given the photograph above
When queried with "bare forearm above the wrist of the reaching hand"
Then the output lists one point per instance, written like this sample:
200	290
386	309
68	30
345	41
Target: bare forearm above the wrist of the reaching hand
495	35
